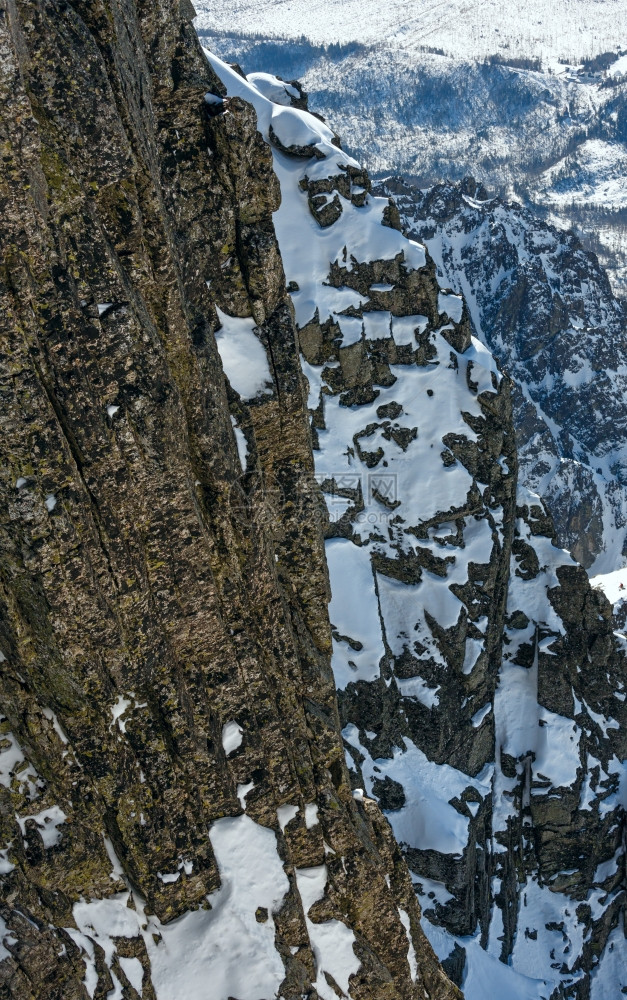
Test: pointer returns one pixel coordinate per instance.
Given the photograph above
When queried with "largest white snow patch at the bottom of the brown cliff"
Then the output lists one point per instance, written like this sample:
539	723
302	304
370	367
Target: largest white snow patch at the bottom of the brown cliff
224	946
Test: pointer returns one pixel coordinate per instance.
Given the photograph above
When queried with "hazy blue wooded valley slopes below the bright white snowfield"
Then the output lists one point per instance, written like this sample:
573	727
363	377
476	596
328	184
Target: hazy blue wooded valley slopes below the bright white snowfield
550	135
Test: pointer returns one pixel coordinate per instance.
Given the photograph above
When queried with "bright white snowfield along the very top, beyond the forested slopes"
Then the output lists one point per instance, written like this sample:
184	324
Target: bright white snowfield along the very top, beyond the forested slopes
471	30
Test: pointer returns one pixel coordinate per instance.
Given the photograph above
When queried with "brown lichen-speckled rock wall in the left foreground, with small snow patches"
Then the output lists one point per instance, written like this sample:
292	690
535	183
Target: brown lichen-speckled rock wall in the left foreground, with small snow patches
170	736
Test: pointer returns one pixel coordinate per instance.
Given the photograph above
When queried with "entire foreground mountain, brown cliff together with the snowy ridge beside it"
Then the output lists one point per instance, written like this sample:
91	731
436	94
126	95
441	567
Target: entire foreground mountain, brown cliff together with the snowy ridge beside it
188	806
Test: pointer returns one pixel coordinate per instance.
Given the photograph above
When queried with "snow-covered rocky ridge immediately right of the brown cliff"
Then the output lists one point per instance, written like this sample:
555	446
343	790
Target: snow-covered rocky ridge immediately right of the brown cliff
478	677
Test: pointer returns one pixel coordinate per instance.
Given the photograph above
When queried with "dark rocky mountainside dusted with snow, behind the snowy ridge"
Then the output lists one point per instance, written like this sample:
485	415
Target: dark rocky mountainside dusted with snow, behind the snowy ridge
544	306
